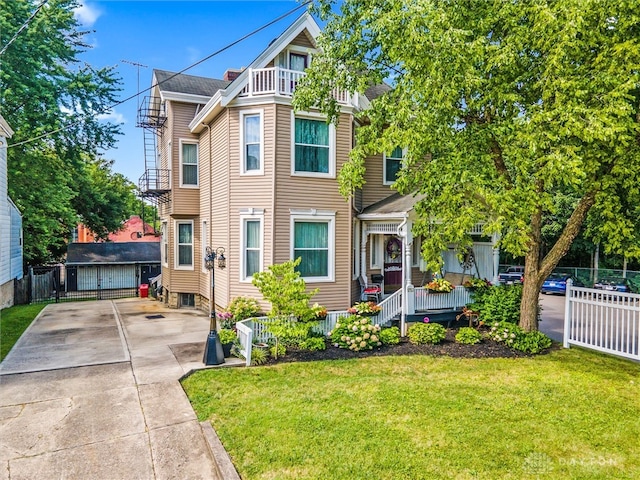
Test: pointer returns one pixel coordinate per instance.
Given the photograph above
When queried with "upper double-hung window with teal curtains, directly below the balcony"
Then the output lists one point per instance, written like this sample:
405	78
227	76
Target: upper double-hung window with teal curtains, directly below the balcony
313	147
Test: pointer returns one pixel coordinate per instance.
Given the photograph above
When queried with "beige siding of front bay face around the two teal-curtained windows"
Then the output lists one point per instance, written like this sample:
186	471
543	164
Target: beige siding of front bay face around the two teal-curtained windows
295	192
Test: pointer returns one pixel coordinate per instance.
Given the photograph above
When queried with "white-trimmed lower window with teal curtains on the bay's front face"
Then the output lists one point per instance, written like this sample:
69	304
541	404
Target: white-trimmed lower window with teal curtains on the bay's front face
313	240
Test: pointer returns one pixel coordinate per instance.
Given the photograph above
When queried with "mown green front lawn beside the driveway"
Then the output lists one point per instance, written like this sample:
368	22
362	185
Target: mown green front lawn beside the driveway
568	414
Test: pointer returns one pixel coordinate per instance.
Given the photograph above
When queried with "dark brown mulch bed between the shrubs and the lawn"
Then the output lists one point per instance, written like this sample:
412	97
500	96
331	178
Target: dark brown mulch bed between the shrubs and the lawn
448	347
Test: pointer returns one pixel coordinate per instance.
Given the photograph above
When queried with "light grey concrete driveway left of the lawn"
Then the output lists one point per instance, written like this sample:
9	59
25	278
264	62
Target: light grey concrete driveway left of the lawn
91	391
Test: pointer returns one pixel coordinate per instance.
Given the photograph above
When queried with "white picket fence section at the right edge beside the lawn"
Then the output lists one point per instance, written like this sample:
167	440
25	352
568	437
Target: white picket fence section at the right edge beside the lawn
602	320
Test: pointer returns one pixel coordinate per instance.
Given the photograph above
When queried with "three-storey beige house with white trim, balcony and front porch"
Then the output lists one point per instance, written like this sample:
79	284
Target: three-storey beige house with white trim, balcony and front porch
233	166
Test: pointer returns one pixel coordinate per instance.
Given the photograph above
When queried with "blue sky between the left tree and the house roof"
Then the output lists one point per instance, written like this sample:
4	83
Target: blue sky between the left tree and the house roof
171	35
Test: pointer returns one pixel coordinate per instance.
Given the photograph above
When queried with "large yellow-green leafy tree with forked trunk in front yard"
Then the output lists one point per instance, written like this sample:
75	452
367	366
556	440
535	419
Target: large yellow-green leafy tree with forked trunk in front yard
500	106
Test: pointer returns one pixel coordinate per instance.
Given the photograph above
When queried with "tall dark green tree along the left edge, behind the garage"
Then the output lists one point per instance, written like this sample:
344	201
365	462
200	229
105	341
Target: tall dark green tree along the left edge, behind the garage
54	104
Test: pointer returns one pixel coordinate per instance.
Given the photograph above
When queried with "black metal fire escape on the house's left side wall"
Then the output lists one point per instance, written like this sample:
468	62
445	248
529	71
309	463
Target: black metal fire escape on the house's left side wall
154	185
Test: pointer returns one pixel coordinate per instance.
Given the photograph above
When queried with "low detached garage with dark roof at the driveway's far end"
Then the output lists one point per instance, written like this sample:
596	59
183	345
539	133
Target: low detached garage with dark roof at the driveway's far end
110	265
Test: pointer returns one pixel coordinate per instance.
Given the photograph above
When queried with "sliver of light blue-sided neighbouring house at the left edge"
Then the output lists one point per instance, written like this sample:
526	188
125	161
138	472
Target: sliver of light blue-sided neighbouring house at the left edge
10	228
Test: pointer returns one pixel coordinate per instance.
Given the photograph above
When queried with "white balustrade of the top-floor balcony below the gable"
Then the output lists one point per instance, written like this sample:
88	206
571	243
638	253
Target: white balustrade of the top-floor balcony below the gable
279	81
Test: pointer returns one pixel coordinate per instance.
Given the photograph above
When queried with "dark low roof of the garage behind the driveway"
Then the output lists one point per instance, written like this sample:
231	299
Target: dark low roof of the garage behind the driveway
113	253
